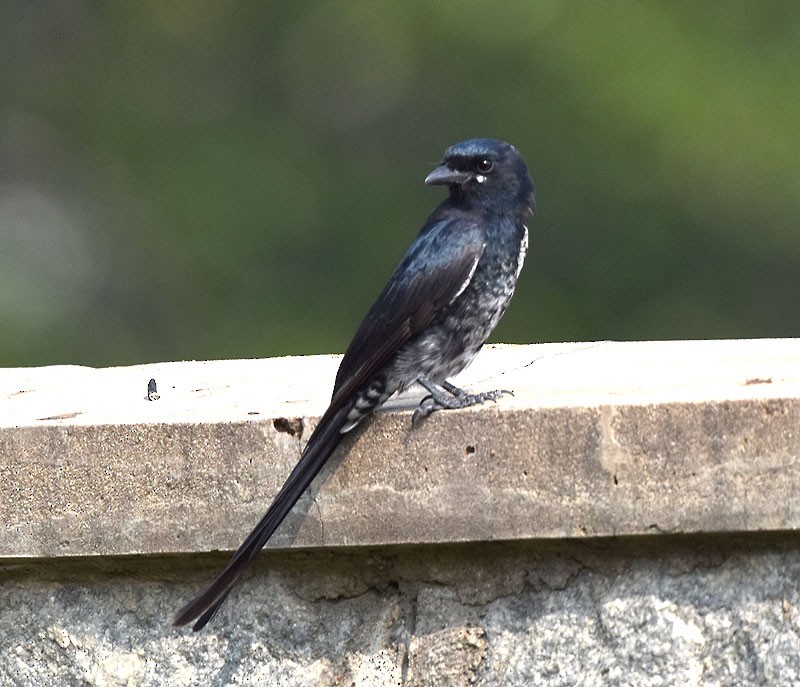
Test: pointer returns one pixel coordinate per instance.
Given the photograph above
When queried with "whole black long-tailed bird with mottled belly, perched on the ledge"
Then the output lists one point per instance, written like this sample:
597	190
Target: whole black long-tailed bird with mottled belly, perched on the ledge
433	316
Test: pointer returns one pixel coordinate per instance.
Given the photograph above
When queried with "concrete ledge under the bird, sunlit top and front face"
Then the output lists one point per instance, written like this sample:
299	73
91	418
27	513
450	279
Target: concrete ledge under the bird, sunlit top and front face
600	439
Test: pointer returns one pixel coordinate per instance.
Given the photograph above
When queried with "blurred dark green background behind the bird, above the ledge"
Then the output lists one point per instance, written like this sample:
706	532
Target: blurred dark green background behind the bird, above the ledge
200	180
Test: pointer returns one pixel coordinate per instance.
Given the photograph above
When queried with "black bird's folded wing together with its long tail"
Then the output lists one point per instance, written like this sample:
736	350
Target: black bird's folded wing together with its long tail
437	267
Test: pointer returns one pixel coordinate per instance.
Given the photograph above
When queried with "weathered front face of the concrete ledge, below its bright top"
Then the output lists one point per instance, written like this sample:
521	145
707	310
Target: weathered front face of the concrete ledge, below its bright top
494	473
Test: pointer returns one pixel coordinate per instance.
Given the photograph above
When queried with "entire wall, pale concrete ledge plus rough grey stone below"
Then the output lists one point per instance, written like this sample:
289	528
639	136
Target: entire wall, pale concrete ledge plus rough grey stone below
691	450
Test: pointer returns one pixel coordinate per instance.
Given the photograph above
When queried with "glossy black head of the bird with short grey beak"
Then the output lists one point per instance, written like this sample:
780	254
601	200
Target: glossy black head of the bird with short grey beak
487	172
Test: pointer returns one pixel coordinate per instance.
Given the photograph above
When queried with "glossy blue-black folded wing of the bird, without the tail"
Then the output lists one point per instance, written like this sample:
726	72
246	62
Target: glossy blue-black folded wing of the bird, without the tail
436	269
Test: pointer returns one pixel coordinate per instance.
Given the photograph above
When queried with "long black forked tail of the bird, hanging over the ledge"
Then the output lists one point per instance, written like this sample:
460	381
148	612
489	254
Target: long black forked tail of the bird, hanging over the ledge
321	445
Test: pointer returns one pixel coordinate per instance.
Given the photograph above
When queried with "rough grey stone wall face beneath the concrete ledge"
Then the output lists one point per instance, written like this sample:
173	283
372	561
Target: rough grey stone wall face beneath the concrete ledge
711	611
